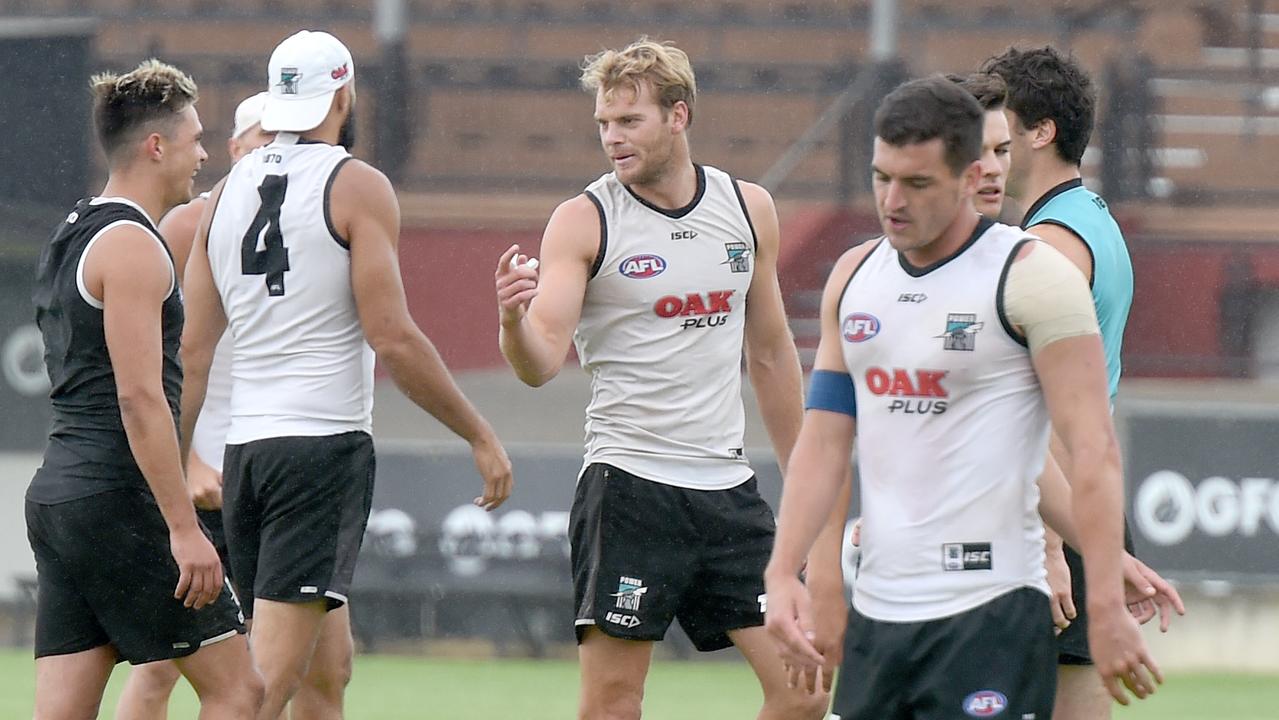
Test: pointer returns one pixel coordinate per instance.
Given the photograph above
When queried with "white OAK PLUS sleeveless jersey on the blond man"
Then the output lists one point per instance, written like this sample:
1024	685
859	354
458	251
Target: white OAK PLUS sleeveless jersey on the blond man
662	334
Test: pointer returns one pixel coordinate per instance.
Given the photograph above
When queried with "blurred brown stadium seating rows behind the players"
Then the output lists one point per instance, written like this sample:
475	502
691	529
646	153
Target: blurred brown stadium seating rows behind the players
496	109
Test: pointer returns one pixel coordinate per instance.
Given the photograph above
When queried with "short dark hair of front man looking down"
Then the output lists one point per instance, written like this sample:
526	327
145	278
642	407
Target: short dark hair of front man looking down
933	108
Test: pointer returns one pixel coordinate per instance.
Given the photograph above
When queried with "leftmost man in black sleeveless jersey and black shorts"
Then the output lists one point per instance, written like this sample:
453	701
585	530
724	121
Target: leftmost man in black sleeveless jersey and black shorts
123	568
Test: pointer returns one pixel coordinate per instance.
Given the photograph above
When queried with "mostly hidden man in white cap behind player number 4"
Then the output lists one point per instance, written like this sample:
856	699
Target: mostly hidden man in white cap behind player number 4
146	693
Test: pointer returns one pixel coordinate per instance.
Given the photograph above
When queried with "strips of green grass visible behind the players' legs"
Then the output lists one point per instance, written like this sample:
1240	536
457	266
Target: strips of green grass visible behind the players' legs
418	689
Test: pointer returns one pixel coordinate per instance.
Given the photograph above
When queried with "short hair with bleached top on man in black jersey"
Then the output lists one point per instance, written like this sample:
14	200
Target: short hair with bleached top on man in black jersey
150	97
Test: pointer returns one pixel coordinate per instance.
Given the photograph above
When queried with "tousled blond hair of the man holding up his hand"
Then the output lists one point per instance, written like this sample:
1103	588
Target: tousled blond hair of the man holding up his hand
661	65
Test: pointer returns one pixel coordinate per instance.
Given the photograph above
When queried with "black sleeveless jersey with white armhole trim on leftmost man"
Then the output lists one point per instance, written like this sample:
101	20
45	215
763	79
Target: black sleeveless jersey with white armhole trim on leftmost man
89	452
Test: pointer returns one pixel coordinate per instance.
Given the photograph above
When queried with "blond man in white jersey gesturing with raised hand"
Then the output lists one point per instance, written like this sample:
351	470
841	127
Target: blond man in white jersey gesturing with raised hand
662	270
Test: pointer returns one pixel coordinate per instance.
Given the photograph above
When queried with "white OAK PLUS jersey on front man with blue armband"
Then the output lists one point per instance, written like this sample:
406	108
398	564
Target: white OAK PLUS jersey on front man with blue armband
952	433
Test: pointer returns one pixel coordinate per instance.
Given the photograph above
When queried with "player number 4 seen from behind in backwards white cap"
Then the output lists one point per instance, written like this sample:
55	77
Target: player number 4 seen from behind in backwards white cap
299	256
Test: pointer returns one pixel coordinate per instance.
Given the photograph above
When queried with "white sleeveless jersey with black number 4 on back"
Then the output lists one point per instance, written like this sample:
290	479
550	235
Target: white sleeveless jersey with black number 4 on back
300	363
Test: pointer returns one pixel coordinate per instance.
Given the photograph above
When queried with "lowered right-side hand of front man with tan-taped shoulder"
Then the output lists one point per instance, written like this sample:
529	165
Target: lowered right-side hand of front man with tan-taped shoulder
1121	654
